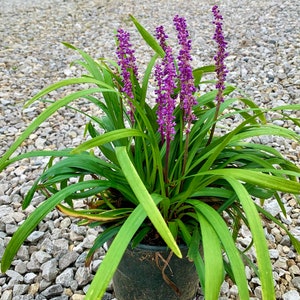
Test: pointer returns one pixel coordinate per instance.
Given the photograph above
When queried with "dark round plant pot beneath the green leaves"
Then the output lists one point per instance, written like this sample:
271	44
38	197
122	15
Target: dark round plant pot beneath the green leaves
144	274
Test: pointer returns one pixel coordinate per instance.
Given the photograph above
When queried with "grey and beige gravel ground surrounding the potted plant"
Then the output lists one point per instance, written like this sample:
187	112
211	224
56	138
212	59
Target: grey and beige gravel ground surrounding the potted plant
264	59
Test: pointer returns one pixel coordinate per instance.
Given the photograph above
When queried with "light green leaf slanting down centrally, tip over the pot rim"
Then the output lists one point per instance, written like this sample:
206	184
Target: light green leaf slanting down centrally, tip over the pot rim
145	199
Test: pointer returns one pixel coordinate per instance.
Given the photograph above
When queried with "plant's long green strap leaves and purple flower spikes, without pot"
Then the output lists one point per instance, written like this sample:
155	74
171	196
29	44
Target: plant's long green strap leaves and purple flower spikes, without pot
163	174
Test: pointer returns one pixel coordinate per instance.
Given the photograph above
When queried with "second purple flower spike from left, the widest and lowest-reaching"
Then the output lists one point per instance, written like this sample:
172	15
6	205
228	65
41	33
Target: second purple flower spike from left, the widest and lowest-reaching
165	74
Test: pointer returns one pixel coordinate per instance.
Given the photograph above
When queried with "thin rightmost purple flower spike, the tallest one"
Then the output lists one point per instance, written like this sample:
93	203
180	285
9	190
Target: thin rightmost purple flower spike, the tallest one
219	58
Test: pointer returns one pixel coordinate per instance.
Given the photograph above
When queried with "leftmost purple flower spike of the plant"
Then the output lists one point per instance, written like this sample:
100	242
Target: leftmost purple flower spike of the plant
126	61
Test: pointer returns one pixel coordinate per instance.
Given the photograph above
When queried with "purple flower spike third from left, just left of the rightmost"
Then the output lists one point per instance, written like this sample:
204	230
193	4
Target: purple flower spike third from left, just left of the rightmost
186	77
